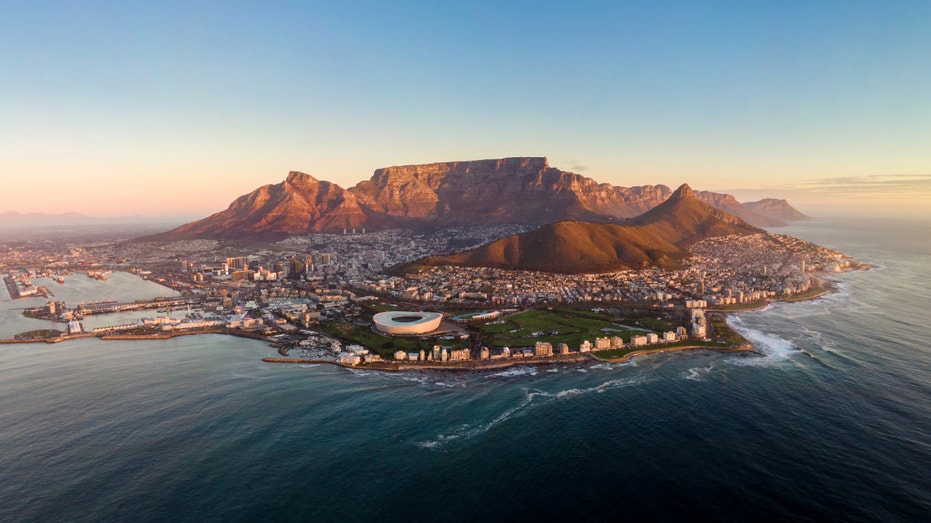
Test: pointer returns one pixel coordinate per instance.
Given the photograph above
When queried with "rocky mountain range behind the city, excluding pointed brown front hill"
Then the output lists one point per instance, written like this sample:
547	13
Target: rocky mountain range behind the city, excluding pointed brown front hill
482	192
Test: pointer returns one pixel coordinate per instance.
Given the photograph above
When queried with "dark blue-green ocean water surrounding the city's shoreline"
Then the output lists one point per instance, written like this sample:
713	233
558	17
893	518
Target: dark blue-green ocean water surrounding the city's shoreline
831	420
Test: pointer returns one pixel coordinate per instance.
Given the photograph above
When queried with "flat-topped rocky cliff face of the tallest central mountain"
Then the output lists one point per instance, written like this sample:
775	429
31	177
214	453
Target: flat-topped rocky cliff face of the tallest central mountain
525	190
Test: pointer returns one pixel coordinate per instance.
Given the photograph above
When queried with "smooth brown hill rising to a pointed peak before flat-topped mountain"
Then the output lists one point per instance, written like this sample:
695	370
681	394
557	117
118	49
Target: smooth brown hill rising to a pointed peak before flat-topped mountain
658	238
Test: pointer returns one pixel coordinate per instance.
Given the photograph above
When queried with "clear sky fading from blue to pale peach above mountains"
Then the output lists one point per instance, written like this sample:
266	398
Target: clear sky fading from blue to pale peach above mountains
169	108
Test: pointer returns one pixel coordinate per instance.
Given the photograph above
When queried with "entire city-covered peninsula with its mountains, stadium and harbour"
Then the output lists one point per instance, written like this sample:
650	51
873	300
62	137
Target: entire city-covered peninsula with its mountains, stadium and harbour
310	268
